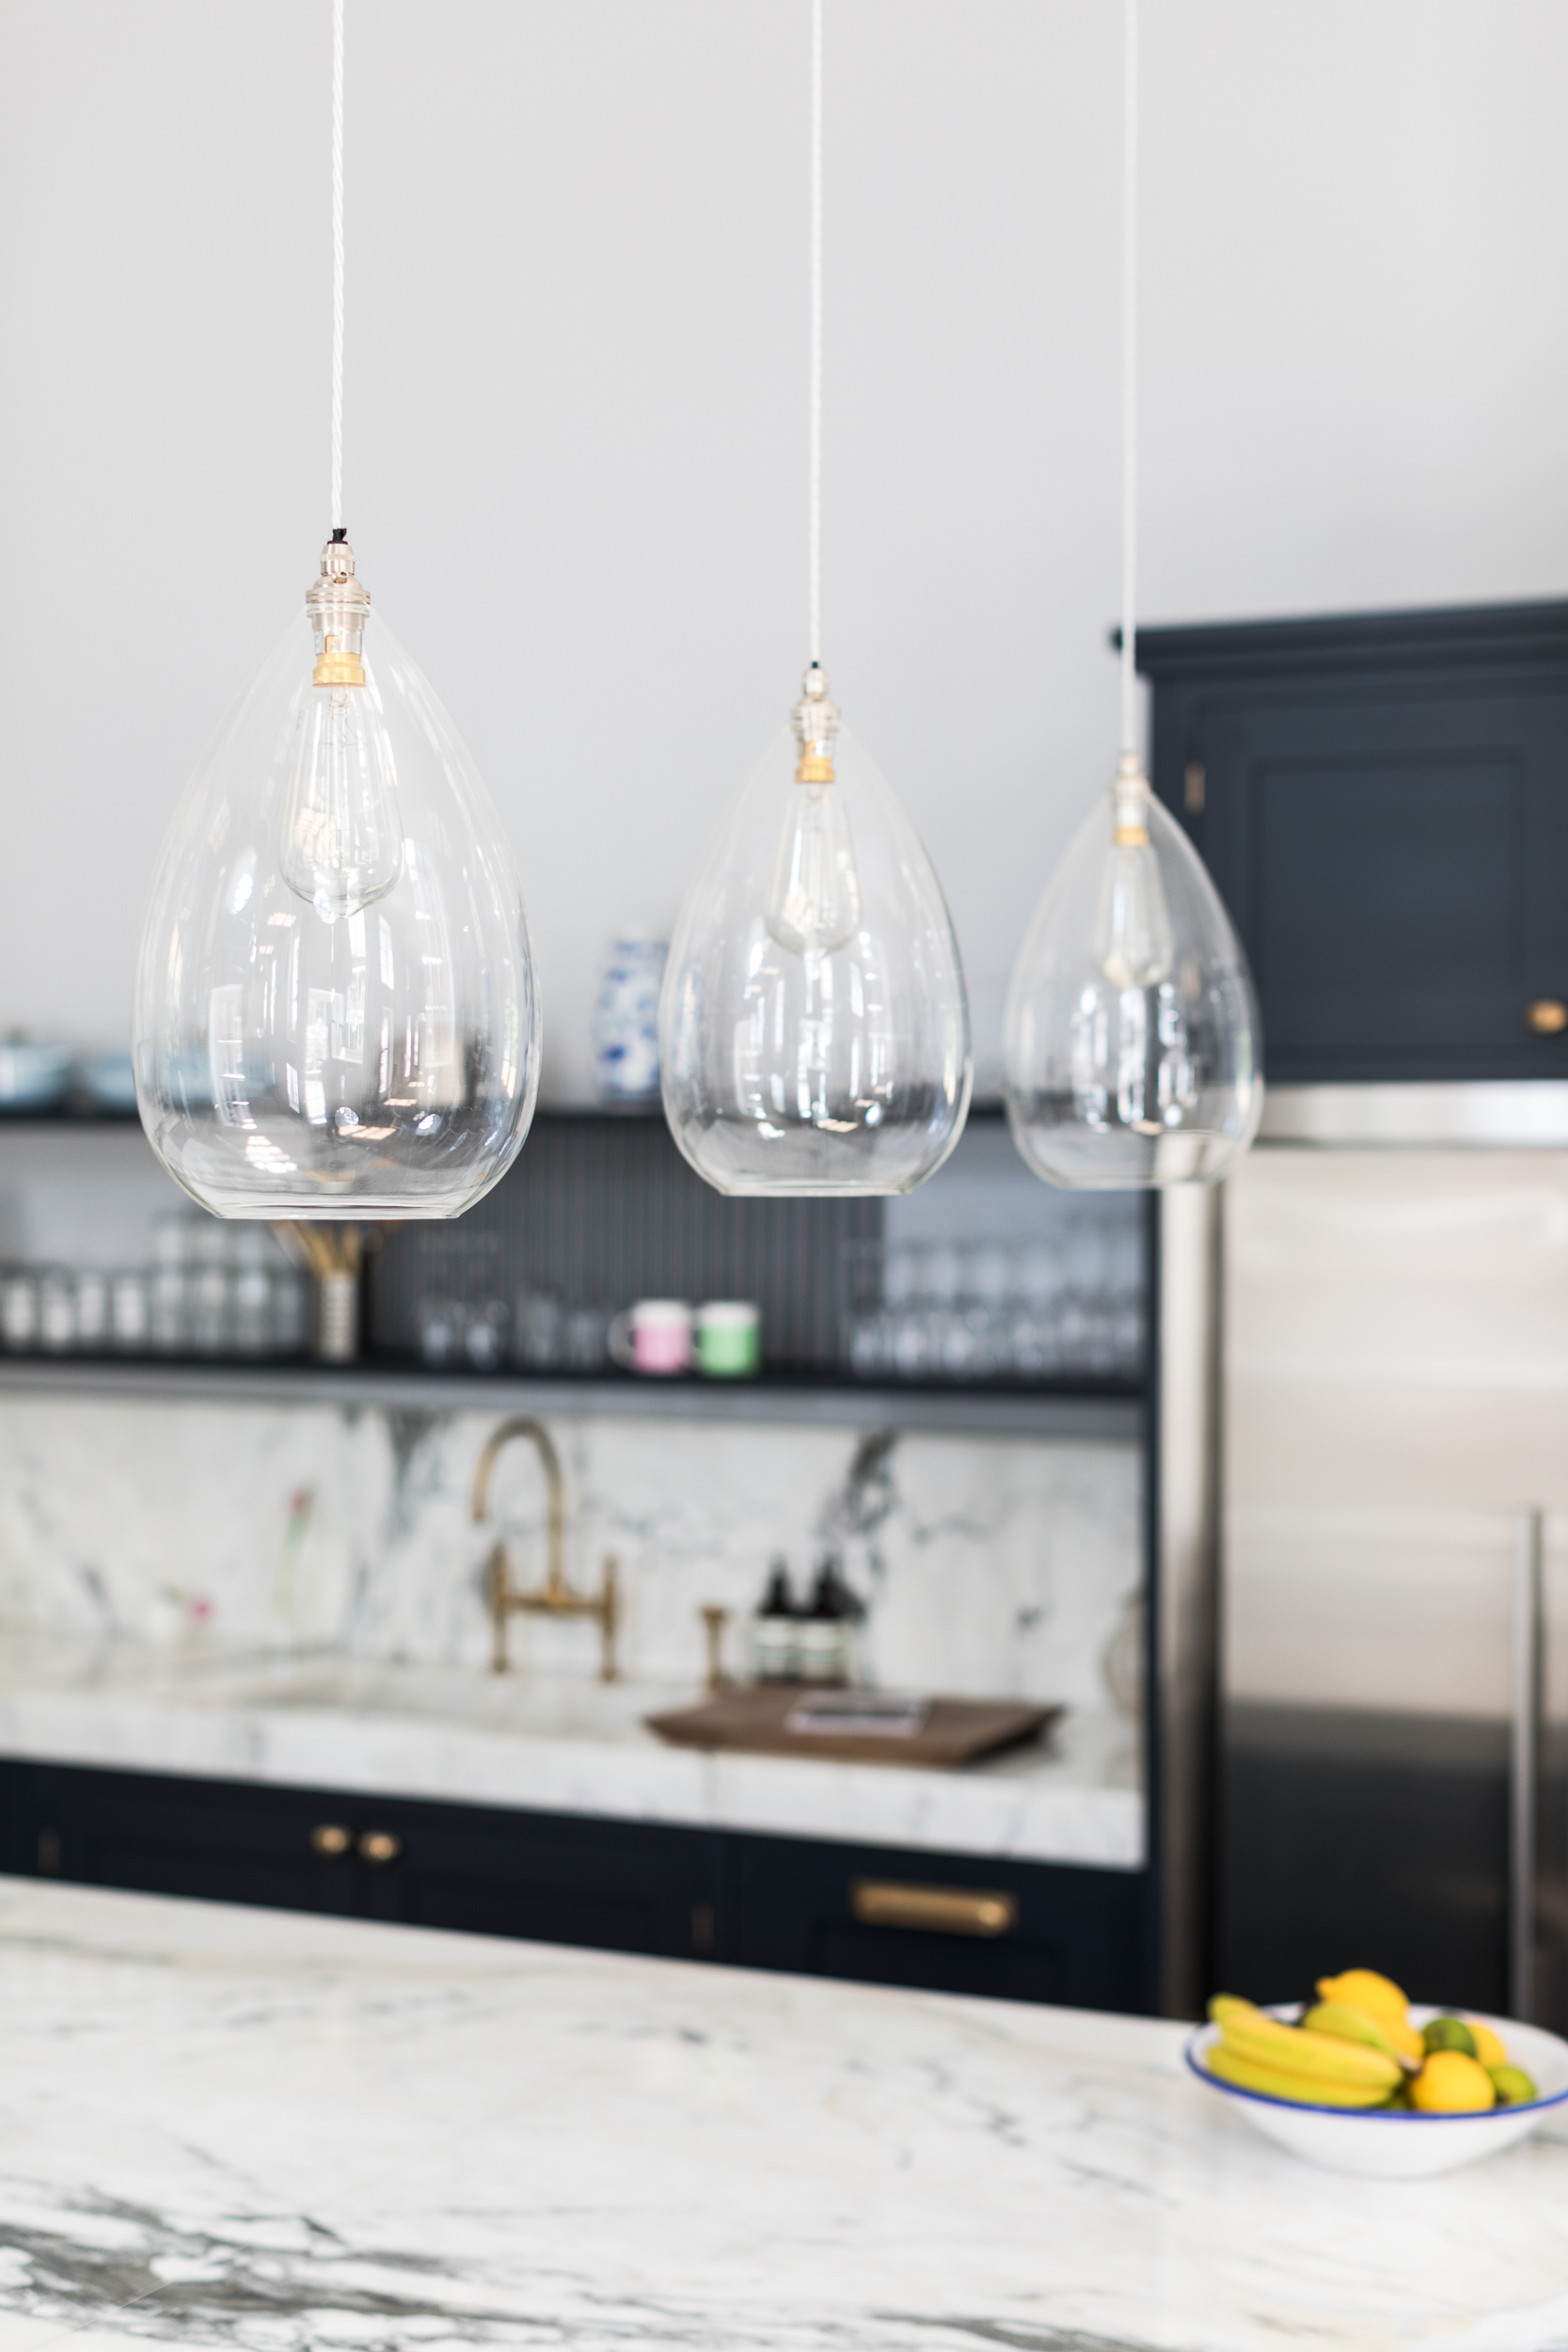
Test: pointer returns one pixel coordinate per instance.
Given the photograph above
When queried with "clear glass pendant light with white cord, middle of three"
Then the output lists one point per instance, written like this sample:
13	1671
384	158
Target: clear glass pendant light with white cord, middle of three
815	1024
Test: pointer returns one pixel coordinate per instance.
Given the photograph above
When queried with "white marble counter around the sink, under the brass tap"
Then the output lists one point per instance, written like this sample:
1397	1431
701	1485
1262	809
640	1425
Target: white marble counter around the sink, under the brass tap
547	1742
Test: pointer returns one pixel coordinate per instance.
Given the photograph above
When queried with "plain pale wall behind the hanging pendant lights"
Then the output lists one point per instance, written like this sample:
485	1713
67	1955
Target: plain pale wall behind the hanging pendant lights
577	387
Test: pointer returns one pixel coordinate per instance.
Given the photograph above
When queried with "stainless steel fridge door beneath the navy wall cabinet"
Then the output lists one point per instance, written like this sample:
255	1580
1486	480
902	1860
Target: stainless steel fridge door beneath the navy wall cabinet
1395	1549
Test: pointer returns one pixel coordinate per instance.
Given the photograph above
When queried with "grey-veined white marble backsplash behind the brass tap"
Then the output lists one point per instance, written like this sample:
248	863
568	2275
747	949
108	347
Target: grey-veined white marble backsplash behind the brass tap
996	1568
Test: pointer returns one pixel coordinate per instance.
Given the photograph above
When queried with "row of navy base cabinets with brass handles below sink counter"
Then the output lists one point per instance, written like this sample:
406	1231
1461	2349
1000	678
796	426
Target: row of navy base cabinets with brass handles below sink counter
944	1923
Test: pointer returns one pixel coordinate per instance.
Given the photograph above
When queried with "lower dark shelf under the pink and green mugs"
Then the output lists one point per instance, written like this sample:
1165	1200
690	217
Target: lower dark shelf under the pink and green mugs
1092	1417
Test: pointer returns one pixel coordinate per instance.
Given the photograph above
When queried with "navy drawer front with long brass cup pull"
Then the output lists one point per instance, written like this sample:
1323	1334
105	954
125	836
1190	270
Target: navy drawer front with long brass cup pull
944	1923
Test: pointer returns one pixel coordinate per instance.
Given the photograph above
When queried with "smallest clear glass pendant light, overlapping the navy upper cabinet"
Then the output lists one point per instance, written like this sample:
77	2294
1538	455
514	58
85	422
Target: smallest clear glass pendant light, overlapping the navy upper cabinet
1132	1029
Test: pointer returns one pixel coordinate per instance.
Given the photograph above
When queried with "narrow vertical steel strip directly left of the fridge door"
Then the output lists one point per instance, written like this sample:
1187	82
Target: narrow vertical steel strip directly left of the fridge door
1186	1591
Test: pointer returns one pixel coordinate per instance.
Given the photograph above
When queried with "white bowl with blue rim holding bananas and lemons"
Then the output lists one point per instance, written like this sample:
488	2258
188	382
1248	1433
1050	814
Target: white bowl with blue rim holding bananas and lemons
1400	2144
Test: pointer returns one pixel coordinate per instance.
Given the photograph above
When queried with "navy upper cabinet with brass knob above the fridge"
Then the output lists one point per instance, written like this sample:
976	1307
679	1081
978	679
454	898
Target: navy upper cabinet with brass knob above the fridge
1383	806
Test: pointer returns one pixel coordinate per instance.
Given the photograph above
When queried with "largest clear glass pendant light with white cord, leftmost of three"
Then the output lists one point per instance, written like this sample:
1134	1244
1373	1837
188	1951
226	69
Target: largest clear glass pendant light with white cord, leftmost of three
335	1008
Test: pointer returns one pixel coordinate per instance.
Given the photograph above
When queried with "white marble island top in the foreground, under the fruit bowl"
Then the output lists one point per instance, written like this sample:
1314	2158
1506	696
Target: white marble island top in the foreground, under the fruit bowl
286	2134
